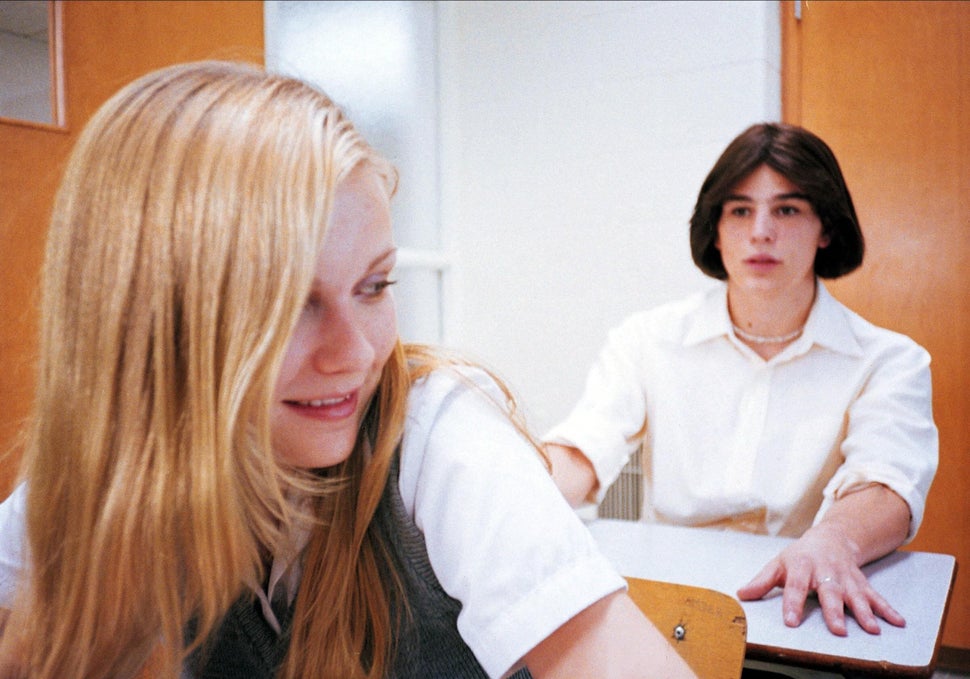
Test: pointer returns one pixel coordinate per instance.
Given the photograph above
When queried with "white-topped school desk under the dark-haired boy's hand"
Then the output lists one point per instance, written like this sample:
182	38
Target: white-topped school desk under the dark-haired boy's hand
917	584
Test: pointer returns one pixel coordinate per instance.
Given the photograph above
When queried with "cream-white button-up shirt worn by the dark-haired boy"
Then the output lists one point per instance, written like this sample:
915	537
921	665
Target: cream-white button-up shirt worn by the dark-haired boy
764	446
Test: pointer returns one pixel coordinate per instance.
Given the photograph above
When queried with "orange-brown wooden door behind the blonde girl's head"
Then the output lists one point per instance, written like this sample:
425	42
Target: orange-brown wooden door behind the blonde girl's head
105	45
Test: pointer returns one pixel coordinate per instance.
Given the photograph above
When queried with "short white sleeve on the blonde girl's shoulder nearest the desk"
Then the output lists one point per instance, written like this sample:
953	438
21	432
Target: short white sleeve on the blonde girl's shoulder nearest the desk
499	535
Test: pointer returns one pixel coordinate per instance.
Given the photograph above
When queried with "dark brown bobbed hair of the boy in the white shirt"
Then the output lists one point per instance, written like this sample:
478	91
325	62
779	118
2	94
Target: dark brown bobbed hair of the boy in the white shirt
806	161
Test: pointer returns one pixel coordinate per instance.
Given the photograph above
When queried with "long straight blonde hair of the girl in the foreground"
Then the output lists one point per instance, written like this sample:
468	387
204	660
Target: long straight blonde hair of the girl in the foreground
180	251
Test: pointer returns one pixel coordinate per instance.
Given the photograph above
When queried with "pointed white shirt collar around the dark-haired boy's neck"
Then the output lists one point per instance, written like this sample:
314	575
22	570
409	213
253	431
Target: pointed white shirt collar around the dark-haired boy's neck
827	324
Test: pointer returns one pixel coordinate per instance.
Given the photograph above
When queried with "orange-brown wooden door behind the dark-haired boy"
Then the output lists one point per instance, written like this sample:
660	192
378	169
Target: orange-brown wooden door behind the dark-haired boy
887	85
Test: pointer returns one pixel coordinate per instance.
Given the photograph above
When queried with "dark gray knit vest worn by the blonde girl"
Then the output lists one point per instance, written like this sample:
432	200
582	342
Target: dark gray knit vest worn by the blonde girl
427	645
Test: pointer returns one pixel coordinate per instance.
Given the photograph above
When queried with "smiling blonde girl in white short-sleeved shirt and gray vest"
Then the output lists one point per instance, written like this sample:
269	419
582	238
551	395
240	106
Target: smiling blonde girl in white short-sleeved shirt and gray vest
234	467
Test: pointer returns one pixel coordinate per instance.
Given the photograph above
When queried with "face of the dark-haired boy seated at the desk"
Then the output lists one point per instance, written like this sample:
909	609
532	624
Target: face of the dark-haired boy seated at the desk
769	234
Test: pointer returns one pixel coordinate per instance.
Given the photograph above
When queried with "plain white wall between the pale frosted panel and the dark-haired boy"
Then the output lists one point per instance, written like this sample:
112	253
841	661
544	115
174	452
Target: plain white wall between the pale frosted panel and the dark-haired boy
574	137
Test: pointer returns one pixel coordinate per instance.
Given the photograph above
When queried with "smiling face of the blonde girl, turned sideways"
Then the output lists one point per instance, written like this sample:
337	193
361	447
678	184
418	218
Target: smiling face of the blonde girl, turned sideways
345	333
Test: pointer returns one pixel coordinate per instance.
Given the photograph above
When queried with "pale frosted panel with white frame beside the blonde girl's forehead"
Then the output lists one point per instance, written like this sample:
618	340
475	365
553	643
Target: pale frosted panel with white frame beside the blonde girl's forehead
378	60
